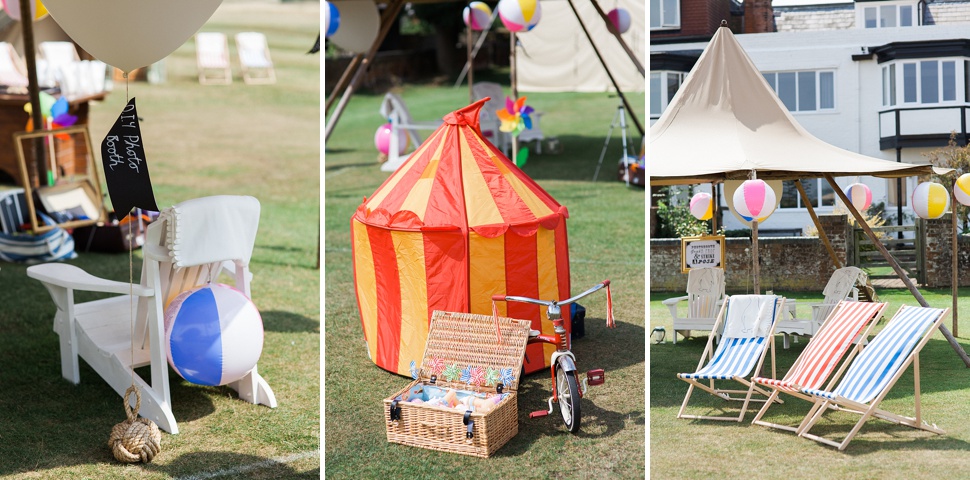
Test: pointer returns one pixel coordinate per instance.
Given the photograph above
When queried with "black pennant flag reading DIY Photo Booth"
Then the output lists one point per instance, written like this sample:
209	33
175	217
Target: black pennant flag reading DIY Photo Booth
125	166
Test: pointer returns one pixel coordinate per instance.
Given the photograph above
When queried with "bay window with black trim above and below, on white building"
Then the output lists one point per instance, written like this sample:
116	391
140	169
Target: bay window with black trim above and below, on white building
926	81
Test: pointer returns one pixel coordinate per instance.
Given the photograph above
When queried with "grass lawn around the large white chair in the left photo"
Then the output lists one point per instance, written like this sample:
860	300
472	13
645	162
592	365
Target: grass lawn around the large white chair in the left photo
200	140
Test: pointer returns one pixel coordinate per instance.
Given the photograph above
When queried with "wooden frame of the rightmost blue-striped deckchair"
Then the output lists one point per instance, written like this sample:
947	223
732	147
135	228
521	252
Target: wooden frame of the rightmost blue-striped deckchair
872	409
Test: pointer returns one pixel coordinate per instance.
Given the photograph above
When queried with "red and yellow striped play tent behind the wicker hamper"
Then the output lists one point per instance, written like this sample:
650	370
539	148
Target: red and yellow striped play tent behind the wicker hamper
457	223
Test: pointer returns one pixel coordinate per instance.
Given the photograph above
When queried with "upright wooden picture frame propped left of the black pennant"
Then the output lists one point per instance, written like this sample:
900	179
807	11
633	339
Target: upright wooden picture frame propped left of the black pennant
75	199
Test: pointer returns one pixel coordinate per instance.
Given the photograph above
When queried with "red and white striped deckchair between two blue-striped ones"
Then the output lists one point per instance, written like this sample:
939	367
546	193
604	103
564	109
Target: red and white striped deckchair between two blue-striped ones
815	364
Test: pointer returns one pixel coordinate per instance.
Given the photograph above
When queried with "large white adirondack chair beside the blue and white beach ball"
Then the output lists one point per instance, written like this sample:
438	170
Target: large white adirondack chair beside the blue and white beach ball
189	245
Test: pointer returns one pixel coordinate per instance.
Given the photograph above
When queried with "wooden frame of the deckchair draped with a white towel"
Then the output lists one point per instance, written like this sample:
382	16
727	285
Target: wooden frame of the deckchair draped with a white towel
751	387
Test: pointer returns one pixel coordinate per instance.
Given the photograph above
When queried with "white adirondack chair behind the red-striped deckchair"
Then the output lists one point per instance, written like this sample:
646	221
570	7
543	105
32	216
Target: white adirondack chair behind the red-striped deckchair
842	285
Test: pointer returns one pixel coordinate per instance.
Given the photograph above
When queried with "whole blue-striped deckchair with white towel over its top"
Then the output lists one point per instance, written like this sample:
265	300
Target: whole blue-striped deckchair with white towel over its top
749	324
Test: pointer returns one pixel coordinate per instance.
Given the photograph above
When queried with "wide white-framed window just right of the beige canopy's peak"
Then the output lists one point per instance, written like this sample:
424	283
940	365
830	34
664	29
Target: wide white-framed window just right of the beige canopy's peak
804	91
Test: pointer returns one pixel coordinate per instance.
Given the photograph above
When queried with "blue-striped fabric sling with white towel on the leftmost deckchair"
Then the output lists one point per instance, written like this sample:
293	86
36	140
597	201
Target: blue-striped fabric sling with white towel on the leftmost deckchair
737	355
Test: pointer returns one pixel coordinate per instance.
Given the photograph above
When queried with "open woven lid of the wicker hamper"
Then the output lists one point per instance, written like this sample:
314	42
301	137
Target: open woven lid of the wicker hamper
463	349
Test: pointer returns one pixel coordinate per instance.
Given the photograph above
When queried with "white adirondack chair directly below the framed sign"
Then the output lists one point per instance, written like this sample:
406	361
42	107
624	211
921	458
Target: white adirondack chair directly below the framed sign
705	292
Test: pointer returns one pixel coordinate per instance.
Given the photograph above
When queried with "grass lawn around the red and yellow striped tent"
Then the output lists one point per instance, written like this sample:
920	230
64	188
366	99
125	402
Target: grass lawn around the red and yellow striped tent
606	240
